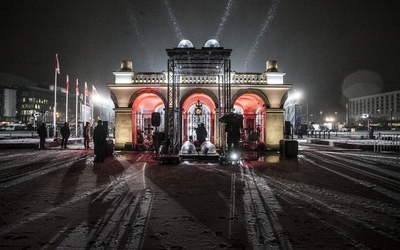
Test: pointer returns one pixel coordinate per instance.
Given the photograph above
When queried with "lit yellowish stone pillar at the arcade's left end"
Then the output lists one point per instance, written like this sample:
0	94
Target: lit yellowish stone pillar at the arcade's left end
123	128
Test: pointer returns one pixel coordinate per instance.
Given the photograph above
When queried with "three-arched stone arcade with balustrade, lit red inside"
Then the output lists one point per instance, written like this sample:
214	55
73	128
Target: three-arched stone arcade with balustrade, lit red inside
198	87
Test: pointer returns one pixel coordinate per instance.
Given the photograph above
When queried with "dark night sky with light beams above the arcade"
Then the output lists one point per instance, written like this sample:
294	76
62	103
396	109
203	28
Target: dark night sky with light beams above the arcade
329	49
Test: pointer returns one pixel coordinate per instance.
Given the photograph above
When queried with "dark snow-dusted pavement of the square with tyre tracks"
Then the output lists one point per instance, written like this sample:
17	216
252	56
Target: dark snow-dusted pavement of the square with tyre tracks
325	198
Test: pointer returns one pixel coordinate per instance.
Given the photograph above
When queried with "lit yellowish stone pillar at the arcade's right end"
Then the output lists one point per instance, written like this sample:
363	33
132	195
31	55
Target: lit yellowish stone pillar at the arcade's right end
274	127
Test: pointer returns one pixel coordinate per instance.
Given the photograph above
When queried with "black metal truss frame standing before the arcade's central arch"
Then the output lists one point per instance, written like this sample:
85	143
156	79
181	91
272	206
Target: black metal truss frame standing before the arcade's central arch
214	61
